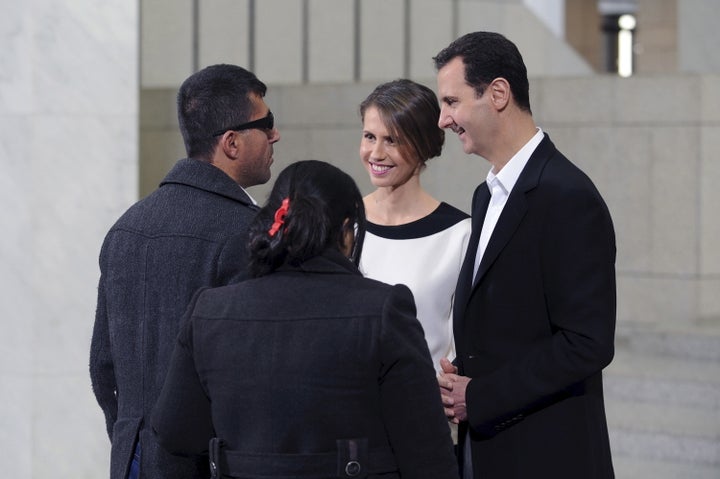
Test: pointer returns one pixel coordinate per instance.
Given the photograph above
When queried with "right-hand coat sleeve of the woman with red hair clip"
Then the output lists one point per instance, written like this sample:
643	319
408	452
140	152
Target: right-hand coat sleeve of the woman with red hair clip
417	428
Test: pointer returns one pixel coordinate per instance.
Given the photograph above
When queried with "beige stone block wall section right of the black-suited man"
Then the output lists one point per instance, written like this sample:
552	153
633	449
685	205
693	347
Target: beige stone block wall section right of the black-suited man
654	162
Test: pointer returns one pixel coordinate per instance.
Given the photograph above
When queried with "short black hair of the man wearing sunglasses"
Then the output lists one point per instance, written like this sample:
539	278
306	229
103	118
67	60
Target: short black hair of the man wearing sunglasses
212	99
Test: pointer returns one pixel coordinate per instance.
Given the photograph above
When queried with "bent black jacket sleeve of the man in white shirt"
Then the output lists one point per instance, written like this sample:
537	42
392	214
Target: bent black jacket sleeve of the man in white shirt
577	280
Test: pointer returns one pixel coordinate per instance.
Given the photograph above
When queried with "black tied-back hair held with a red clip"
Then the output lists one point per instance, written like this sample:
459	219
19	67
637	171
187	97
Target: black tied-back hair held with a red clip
324	203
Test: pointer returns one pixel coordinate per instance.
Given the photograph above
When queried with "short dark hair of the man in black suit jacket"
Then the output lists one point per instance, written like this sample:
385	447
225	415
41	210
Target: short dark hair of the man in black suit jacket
487	56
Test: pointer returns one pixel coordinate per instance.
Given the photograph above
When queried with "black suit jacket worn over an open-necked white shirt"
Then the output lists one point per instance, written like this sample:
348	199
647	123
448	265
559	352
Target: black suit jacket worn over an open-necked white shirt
536	329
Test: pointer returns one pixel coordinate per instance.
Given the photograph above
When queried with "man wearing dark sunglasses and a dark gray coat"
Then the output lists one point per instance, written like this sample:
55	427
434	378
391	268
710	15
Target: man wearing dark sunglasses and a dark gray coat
187	234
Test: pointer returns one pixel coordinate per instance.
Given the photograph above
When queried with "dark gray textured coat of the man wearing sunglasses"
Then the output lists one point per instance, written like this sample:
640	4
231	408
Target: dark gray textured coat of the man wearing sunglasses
187	234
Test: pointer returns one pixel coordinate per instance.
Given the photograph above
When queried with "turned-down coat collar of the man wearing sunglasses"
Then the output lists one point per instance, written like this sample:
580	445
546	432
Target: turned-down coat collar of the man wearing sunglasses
204	176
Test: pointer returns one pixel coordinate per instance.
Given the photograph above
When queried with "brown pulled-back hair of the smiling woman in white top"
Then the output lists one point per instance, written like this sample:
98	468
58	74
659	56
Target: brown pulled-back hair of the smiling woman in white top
410	111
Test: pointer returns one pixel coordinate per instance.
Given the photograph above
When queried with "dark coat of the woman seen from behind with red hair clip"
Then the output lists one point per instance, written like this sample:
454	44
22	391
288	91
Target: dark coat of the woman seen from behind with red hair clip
283	366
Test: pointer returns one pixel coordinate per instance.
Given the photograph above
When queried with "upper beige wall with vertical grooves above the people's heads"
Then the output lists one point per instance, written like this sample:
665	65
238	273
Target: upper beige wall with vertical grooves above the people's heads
329	41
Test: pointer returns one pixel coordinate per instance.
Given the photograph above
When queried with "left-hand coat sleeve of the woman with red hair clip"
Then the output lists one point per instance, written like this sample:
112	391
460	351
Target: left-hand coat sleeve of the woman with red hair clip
181	419
